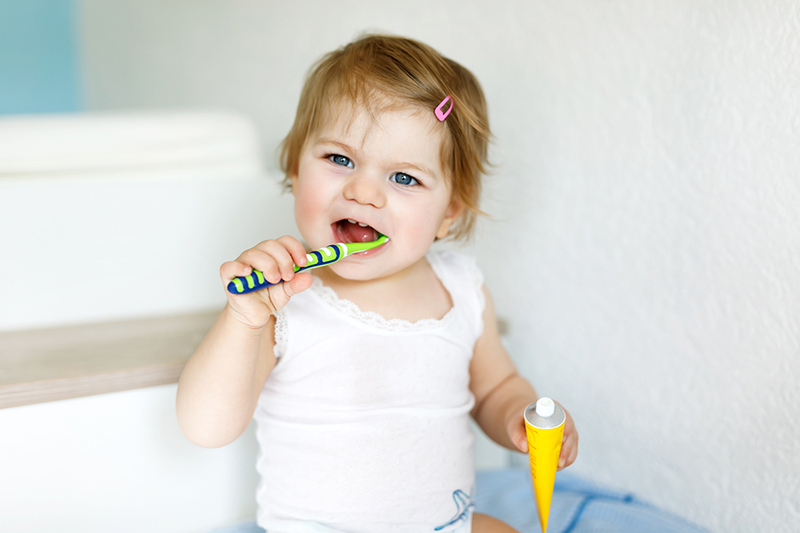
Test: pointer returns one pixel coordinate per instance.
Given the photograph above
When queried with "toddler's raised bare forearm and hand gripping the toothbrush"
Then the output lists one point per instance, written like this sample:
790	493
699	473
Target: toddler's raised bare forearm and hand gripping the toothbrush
220	385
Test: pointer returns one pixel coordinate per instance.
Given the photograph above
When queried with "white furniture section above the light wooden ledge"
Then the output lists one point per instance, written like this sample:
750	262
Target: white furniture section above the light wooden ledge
109	216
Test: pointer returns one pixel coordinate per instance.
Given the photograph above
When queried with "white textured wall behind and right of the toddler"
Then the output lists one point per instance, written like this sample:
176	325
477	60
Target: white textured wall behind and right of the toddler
645	246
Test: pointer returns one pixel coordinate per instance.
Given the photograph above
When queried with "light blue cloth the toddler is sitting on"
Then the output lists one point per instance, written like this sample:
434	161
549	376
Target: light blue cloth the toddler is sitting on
578	506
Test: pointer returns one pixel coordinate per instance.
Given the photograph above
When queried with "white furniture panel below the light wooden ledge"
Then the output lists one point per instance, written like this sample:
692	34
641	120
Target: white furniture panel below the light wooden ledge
118	462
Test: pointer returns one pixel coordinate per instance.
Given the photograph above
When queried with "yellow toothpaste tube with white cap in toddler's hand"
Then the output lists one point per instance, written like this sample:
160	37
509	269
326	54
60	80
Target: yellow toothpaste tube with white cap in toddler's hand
544	425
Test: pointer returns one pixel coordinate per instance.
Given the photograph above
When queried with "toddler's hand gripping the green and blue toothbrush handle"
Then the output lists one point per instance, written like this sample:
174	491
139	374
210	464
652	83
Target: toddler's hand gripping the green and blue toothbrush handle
276	260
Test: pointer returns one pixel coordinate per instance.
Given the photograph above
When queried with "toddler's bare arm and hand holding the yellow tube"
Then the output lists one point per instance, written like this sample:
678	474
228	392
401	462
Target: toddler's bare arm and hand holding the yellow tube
501	394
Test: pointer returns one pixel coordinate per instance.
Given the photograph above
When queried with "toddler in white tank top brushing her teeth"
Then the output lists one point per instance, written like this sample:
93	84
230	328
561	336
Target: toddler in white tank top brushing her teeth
363	376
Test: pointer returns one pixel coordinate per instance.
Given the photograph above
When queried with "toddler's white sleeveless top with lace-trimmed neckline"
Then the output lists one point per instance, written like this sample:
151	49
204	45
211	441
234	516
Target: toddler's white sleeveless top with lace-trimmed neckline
363	424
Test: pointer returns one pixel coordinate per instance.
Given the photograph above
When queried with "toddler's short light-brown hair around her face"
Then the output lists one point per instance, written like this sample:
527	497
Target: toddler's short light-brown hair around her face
381	71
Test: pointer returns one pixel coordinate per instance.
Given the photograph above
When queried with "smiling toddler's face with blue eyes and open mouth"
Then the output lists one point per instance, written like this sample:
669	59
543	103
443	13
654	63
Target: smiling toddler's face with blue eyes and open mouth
384	174
